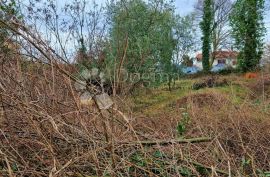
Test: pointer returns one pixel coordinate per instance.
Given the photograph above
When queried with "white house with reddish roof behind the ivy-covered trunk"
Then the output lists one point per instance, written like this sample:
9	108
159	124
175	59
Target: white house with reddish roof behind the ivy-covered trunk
228	58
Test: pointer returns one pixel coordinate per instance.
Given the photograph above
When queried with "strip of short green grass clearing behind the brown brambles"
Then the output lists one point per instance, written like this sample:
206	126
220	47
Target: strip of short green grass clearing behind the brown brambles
158	100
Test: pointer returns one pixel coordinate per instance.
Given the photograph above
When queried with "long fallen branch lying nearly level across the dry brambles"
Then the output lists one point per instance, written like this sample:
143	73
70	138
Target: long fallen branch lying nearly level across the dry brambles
176	141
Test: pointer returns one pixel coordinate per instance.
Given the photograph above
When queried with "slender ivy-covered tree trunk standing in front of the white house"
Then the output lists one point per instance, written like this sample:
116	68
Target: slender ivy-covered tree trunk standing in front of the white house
206	30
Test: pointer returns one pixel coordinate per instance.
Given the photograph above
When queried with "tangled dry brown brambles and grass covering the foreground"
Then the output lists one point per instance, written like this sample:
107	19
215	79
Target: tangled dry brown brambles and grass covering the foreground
44	131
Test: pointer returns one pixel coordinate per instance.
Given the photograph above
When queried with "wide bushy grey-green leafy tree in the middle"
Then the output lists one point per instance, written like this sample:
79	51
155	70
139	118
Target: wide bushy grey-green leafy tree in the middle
141	37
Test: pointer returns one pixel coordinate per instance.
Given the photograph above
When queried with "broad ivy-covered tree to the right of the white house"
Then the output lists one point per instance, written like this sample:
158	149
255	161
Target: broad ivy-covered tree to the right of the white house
248	32
